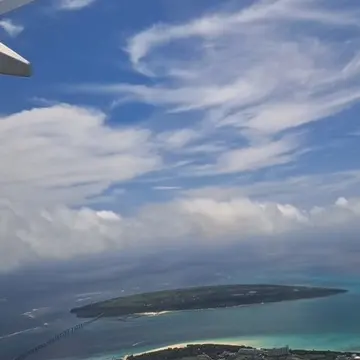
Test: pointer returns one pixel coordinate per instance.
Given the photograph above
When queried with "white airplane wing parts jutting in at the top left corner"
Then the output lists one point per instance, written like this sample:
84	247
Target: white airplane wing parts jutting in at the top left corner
12	63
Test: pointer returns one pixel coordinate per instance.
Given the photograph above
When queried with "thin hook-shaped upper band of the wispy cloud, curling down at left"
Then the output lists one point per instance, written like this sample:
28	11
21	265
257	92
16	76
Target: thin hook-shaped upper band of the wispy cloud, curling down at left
218	24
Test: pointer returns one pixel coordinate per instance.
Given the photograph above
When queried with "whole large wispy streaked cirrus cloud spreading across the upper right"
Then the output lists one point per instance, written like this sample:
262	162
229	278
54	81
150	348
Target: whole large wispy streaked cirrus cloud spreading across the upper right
246	77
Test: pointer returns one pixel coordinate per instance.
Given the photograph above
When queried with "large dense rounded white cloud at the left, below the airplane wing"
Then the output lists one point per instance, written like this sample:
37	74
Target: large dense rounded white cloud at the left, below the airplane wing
66	154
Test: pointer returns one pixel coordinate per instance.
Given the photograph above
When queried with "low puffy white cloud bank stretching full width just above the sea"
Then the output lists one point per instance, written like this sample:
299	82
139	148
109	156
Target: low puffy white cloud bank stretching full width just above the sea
61	233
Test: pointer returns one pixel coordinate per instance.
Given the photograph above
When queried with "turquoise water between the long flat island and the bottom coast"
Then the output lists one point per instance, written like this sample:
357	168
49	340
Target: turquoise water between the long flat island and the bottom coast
330	323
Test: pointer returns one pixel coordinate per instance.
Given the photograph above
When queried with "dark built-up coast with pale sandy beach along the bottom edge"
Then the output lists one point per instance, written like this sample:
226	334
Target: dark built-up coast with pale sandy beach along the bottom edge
239	352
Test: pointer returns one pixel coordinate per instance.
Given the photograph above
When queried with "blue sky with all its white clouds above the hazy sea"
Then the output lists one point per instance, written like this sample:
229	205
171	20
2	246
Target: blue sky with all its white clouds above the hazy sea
154	123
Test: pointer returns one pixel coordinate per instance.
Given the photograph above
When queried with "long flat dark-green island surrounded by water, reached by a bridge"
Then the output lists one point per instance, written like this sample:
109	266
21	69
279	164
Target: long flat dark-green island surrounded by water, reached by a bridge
195	298
